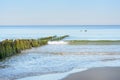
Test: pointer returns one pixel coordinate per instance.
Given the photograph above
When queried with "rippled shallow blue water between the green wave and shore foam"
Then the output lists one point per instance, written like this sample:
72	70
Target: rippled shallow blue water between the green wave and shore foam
59	58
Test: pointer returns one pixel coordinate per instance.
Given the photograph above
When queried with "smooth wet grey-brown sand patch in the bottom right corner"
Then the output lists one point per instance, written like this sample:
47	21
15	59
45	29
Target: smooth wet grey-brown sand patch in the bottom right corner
105	73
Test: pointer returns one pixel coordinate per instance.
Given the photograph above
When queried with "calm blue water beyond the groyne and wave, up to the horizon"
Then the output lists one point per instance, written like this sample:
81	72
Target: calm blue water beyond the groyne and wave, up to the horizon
76	32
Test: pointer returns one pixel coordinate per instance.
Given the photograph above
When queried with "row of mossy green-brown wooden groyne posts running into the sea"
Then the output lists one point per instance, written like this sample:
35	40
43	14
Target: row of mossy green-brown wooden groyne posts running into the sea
11	47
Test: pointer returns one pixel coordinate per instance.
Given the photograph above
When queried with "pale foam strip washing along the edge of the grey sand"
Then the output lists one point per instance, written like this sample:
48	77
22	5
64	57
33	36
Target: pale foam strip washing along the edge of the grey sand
55	76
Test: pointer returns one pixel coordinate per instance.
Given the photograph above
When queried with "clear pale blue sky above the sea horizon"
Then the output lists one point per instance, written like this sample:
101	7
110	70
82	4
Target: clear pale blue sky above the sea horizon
59	12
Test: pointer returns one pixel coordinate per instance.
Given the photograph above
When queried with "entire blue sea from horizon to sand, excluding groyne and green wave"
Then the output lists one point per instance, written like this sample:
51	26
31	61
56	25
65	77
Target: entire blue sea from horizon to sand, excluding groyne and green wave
56	61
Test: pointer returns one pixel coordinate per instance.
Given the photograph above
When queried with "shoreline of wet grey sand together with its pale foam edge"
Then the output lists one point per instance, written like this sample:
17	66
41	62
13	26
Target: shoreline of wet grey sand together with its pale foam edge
98	73
